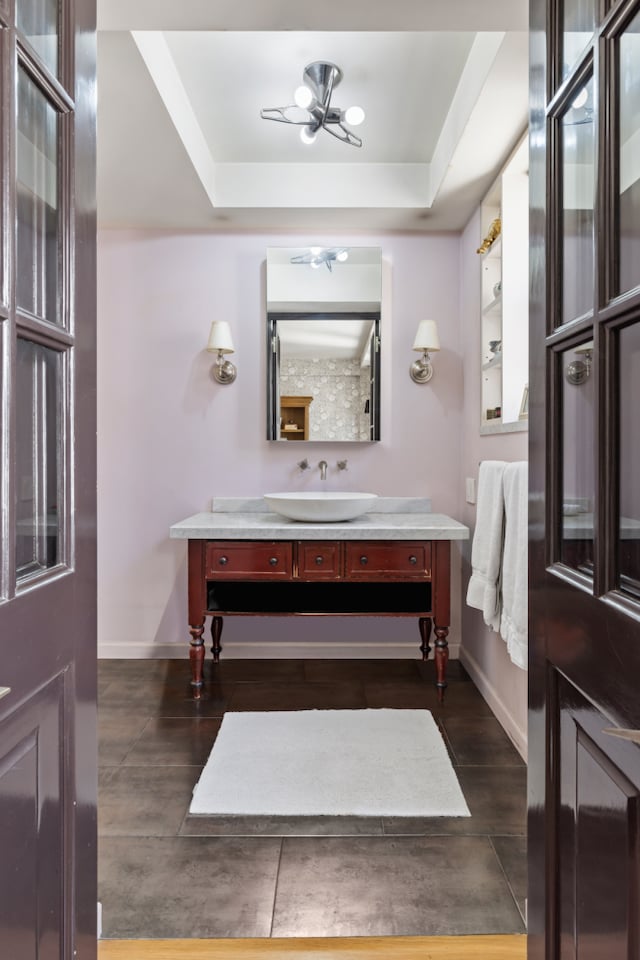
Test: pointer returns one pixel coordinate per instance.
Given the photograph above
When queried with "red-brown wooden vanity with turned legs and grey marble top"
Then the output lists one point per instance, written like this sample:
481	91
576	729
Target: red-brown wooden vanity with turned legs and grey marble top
242	562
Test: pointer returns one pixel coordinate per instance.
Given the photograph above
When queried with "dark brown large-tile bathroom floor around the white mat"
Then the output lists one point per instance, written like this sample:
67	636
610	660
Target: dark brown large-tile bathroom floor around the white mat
165	874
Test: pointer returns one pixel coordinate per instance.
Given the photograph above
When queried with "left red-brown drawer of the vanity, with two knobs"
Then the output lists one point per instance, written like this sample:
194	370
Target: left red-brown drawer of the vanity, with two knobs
256	560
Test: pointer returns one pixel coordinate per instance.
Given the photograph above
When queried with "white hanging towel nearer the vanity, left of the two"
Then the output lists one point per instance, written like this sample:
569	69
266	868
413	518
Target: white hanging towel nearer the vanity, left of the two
483	591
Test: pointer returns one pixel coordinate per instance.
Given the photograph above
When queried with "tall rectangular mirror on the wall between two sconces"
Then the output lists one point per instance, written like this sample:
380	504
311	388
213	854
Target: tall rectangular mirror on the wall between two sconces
323	343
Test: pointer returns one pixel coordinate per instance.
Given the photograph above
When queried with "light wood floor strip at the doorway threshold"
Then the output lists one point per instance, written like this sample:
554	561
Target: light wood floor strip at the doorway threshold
343	948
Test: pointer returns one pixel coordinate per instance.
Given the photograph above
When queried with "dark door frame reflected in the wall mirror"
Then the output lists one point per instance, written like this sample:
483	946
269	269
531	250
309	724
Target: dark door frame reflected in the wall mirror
273	398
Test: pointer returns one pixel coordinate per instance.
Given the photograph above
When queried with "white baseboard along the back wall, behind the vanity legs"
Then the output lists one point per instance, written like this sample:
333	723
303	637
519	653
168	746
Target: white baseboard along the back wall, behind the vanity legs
256	650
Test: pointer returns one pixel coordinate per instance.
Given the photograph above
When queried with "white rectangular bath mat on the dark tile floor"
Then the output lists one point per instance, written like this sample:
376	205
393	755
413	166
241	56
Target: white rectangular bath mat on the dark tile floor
391	763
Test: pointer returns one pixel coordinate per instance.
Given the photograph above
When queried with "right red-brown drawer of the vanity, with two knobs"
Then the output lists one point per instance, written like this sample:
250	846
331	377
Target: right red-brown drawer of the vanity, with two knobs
382	560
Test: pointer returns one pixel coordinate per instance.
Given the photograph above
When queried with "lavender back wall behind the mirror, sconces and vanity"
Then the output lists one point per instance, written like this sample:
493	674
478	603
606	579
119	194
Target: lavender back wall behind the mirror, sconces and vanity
170	437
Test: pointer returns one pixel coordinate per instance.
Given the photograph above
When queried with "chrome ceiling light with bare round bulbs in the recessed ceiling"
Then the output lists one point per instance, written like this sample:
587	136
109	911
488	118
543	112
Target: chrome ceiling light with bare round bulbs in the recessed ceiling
312	108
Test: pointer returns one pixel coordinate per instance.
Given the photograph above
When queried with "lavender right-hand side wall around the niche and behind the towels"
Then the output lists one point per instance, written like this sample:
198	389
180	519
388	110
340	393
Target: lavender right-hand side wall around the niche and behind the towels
484	653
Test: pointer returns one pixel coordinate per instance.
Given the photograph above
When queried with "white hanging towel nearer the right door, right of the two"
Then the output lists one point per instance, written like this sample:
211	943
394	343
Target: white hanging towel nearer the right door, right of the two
513	625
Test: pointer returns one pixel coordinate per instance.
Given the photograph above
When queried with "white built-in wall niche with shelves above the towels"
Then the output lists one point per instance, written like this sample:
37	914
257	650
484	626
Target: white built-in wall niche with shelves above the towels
504	320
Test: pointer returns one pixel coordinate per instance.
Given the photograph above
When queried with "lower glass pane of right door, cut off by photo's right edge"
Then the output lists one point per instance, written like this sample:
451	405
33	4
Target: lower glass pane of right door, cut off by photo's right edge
629	519
